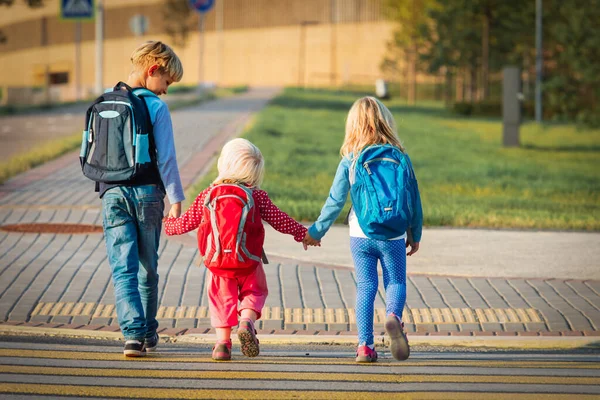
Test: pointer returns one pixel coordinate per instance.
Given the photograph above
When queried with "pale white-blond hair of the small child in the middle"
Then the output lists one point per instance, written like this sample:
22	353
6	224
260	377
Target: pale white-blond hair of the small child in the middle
240	162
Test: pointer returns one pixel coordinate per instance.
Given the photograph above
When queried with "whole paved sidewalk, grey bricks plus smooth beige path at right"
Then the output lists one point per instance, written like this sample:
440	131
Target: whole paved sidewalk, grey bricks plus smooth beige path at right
462	283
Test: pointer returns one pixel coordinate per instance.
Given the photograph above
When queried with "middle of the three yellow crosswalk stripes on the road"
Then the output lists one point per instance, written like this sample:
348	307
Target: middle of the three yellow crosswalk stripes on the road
298	376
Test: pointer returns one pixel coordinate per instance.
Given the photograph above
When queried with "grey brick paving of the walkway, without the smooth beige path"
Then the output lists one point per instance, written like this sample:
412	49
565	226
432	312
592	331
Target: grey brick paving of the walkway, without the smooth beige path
63	281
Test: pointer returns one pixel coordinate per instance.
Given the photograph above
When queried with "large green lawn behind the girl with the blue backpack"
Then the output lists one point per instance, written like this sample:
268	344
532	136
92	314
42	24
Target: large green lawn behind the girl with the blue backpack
466	177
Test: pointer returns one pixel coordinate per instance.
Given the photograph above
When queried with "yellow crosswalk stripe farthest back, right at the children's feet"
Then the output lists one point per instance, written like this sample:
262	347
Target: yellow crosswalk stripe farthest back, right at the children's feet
205	358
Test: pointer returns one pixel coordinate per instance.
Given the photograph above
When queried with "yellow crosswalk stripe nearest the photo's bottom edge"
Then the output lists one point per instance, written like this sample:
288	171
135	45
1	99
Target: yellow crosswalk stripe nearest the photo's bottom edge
163	393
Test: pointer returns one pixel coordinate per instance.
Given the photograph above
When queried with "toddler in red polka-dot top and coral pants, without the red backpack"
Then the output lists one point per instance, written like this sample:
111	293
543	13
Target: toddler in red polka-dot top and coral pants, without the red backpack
242	163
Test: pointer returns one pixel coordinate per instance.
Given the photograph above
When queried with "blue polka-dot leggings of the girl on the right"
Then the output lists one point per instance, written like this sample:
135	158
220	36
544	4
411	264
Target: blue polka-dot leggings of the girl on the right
392	255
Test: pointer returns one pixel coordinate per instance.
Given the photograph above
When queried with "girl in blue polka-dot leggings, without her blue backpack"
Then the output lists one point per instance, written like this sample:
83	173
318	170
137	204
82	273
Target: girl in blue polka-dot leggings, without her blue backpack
370	123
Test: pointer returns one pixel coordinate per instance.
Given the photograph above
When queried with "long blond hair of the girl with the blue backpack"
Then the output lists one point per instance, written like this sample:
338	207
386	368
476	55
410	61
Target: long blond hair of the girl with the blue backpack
369	122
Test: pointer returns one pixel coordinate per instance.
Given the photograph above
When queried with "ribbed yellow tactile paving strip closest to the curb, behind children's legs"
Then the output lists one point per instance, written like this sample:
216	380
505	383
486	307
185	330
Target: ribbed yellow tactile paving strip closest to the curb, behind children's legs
312	315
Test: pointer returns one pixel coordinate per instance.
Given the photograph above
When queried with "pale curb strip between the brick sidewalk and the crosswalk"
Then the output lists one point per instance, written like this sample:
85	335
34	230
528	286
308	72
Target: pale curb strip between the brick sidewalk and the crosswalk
487	342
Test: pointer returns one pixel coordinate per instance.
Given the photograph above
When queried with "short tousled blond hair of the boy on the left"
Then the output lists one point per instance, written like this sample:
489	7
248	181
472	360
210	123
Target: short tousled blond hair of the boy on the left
154	52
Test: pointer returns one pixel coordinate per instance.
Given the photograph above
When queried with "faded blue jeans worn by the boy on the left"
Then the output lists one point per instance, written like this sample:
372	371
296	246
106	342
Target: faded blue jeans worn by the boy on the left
132	219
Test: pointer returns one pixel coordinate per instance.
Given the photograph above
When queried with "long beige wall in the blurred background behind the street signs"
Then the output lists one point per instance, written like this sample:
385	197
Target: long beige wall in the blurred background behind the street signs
343	52
